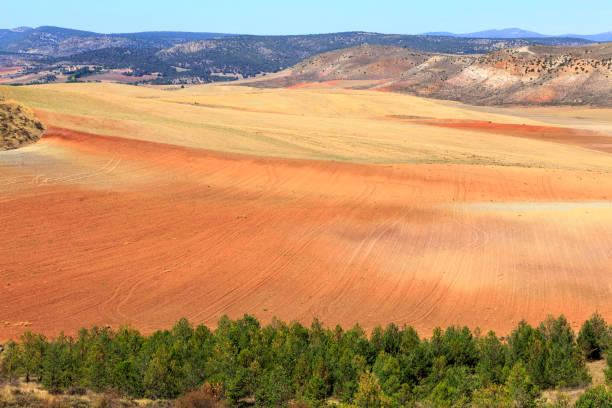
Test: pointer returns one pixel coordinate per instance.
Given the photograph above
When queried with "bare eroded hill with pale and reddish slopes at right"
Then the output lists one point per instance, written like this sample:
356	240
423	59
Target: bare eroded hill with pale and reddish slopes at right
531	74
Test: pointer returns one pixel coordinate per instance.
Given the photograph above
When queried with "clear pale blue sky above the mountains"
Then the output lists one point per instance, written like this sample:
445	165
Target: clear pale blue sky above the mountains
312	16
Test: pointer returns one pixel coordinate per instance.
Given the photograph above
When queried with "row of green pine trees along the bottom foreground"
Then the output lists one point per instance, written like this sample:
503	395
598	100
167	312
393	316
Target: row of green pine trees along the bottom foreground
278	364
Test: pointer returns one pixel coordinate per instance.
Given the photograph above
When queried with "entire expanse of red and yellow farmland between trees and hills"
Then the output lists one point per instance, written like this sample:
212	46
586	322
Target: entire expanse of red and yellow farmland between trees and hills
140	206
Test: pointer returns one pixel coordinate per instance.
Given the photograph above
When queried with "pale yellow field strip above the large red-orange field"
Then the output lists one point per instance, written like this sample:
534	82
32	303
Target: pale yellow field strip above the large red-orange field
316	124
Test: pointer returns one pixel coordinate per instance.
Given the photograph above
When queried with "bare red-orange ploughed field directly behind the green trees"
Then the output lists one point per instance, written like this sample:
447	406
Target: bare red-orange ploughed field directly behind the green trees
100	230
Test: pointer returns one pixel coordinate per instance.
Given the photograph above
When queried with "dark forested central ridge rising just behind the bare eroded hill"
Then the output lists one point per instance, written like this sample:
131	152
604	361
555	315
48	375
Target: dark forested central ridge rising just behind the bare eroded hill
248	55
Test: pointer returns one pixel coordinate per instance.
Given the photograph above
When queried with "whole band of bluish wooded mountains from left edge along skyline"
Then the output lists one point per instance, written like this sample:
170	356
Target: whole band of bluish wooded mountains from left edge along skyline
47	54
